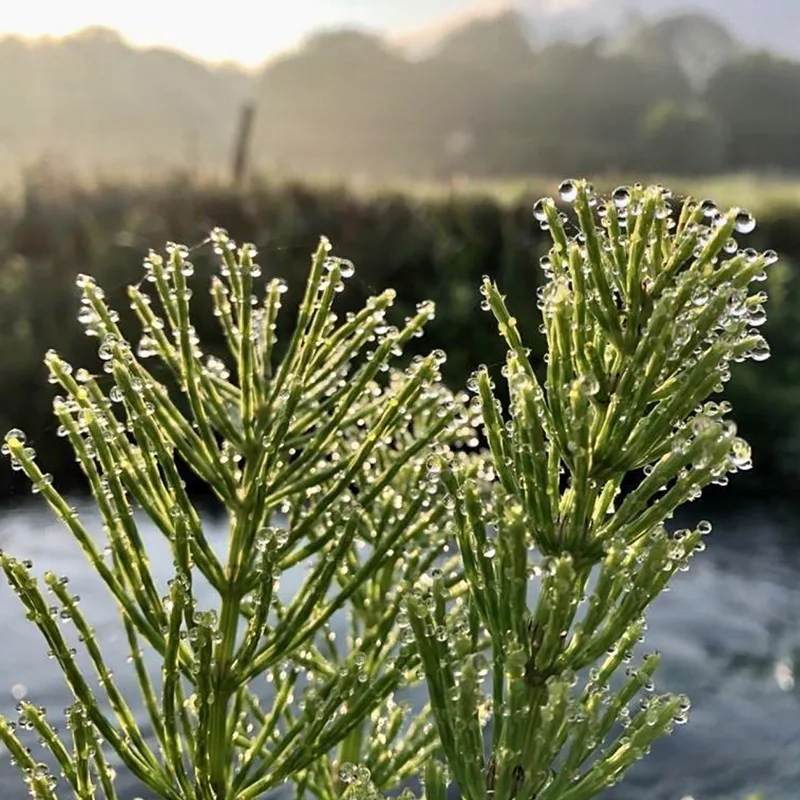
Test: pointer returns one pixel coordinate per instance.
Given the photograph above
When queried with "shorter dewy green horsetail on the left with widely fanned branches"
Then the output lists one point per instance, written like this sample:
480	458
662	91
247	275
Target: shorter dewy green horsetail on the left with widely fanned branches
320	458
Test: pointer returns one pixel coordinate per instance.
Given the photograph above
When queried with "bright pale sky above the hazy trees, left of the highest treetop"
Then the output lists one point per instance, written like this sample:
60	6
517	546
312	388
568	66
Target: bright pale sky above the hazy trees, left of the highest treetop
247	31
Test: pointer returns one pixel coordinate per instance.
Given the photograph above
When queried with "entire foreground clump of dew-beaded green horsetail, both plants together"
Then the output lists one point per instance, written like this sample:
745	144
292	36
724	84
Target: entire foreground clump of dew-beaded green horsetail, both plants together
325	455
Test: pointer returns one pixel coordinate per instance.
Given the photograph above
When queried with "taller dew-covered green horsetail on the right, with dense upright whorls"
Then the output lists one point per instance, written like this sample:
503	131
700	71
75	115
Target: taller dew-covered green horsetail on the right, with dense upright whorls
643	315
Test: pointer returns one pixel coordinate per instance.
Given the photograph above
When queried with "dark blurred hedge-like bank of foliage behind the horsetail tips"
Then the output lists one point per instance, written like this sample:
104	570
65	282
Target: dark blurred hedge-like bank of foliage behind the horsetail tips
426	249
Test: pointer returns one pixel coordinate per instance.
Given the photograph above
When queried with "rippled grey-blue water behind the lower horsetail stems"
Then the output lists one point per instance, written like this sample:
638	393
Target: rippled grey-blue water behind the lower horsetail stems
729	634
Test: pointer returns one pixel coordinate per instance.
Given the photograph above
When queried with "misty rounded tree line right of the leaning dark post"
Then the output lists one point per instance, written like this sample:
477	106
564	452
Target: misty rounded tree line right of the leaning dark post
679	95
